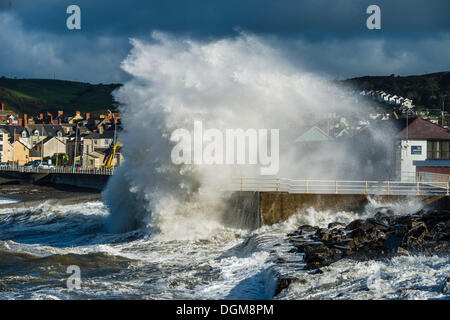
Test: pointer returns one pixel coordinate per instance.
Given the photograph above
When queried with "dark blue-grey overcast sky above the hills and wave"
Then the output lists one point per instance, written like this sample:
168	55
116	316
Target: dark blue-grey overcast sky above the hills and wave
328	37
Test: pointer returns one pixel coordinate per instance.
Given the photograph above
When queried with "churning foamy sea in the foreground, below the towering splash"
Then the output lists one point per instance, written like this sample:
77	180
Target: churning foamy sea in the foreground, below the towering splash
38	244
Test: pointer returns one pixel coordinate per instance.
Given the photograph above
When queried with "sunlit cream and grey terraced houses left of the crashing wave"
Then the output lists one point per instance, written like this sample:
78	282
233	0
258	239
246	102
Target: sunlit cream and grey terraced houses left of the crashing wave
64	139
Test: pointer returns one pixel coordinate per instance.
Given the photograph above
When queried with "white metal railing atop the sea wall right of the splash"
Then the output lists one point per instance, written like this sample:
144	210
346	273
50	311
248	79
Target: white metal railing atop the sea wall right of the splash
339	186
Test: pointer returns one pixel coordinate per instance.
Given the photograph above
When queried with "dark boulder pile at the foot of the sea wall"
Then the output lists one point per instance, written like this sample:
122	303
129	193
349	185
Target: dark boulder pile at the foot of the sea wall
383	235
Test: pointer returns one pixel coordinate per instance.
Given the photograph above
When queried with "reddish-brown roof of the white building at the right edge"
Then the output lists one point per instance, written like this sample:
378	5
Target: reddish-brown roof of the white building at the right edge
424	129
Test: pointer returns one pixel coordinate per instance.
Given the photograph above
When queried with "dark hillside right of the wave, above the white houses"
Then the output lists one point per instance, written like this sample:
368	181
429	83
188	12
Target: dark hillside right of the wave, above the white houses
429	90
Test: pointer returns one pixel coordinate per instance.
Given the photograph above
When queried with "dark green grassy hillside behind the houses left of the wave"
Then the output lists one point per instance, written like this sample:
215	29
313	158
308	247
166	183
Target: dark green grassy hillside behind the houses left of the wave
33	95
